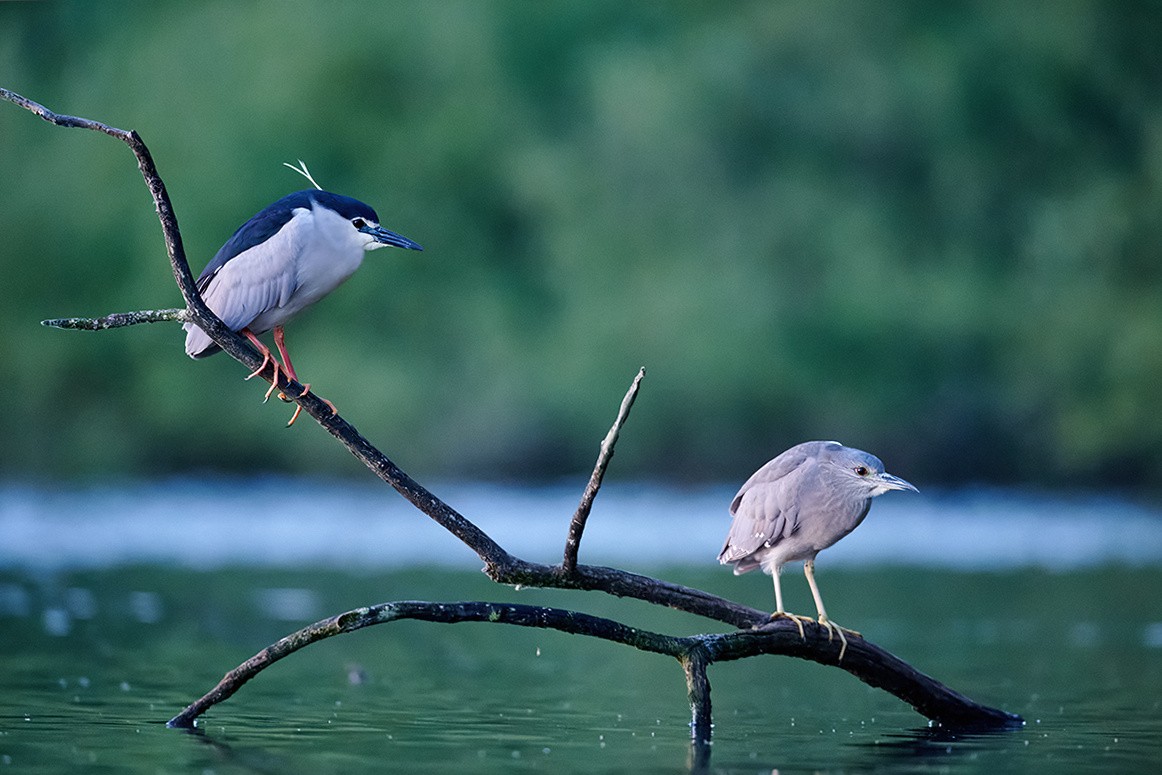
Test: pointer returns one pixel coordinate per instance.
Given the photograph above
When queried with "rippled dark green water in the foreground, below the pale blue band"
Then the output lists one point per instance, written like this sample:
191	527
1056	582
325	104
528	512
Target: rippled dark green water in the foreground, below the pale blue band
94	663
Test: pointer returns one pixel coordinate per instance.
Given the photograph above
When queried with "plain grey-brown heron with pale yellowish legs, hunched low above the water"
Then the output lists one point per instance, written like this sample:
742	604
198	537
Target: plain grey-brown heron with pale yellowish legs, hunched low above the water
798	506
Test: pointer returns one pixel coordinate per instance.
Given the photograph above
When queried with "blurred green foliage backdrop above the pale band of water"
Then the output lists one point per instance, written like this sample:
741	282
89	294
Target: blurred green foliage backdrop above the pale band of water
929	229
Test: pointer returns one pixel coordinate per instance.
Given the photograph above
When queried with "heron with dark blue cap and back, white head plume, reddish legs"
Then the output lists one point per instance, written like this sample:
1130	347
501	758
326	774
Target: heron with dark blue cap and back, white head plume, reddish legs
281	262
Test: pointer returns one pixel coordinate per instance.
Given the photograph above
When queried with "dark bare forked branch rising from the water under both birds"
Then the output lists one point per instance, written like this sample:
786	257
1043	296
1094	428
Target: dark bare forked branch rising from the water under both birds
759	635
